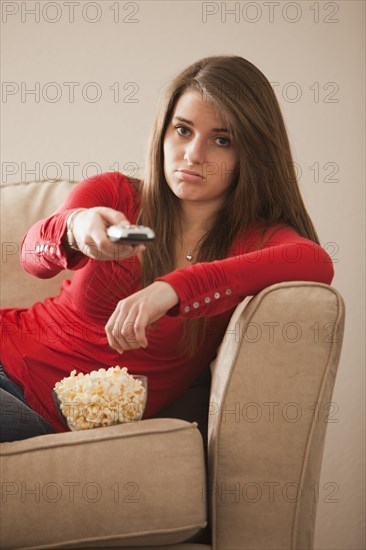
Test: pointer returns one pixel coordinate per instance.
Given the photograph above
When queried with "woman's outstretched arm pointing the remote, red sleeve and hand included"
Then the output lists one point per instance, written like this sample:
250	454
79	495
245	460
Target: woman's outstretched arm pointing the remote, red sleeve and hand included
108	199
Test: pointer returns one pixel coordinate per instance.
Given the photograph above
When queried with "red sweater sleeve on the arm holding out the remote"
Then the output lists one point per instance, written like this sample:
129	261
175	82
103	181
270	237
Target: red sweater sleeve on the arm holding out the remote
42	252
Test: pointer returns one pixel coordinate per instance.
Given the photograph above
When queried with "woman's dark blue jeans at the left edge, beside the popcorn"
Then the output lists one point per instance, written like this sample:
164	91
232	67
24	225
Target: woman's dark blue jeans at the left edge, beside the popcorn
17	419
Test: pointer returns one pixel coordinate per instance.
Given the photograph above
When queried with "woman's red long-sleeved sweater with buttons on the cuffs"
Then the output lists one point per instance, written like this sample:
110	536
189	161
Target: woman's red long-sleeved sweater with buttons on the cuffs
44	343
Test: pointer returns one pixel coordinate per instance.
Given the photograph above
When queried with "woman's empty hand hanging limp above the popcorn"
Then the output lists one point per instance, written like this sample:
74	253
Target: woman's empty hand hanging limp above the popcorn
126	326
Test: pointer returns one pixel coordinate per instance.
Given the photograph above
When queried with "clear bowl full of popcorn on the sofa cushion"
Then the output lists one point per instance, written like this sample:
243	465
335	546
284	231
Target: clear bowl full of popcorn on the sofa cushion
102	397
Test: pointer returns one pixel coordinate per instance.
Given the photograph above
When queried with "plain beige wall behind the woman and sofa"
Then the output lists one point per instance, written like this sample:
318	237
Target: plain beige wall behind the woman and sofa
317	59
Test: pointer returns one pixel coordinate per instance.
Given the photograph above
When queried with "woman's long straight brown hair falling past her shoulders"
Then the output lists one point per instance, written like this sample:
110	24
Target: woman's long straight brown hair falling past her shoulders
264	188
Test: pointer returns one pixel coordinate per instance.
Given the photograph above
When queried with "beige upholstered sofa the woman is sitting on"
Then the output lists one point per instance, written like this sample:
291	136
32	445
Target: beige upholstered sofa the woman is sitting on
145	485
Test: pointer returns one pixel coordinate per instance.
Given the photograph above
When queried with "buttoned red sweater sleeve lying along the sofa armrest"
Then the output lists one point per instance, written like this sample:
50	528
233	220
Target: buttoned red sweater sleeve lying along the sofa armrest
211	288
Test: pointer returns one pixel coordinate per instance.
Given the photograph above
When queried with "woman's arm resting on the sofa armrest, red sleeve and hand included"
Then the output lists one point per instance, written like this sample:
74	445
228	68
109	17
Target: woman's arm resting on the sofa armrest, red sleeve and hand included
210	288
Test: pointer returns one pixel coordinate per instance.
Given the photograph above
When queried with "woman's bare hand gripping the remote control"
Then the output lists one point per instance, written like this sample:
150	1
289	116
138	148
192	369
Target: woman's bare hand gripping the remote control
89	230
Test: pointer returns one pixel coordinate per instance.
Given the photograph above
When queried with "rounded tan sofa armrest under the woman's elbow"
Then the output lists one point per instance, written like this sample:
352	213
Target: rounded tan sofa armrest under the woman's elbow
272	384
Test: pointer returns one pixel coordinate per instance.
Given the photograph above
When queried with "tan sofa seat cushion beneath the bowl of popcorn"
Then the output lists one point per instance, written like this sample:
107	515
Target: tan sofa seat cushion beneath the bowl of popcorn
138	484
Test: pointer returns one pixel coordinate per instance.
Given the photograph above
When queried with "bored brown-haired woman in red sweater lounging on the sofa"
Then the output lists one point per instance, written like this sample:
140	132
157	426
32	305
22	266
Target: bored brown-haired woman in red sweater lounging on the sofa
220	192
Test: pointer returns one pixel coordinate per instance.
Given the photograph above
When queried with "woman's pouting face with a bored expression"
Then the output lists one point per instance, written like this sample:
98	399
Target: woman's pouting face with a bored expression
199	156
